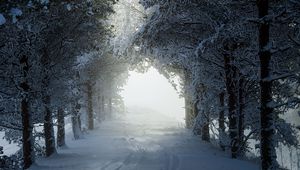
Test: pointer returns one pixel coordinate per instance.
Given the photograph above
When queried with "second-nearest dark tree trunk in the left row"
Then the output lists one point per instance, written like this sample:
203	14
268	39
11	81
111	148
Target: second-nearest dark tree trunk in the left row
48	128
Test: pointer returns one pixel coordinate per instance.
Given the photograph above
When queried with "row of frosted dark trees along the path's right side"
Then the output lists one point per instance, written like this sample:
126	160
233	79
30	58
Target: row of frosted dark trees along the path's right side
239	62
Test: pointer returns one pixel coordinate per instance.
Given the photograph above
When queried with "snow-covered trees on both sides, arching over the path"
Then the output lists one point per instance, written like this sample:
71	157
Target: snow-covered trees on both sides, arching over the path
238	62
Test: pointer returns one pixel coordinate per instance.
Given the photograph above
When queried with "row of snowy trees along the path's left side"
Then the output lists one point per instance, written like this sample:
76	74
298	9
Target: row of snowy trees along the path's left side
54	56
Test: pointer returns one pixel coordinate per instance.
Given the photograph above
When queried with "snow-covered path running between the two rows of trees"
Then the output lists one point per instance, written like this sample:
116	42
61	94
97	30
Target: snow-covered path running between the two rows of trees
149	145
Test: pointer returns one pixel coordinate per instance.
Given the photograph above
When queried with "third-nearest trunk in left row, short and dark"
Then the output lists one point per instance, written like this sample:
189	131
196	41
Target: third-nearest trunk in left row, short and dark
60	128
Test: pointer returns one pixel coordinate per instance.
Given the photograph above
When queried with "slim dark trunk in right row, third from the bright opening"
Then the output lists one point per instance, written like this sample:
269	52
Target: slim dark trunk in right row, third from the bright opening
221	121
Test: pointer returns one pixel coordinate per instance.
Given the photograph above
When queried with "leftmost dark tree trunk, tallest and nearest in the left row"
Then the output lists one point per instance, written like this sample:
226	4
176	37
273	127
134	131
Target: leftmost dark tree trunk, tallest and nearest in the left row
27	139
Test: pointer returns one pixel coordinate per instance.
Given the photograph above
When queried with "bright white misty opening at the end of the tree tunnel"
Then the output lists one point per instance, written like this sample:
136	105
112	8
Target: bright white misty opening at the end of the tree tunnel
151	91
